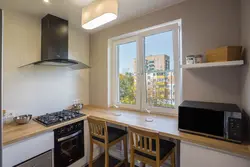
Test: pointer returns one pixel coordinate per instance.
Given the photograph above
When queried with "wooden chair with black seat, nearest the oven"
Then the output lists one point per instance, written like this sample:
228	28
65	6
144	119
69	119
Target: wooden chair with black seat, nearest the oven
106	137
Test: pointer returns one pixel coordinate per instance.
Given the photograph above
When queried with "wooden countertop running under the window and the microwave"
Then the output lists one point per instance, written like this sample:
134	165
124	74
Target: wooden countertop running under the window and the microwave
167	126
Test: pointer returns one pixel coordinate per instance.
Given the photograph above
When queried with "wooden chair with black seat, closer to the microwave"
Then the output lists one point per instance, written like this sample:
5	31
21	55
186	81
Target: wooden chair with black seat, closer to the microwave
147	147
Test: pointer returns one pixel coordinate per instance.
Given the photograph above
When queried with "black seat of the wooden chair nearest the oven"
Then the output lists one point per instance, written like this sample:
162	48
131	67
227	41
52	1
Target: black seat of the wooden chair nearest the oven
113	134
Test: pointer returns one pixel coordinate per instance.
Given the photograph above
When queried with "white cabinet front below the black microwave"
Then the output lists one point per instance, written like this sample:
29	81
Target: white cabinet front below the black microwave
199	156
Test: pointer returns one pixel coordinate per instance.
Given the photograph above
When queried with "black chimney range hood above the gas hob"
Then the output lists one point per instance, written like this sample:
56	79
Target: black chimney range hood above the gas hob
54	48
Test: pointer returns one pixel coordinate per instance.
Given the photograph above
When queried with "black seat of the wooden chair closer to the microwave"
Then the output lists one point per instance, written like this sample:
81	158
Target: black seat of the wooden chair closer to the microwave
165	148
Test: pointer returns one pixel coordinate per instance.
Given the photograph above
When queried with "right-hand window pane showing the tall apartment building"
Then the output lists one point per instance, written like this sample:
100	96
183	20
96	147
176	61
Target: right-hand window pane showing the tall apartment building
159	68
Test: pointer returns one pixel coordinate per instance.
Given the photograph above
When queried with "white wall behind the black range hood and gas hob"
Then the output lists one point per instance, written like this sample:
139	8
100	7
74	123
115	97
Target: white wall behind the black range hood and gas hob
39	89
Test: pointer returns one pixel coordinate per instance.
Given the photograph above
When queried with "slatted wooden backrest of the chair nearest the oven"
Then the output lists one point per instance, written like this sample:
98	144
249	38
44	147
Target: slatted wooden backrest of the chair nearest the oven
97	128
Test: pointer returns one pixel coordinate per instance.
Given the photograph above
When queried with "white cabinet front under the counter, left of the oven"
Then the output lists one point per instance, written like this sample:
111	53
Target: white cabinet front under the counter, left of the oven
21	151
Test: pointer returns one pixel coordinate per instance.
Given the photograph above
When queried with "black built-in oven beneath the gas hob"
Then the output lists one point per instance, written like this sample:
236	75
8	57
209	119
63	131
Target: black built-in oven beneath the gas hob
69	144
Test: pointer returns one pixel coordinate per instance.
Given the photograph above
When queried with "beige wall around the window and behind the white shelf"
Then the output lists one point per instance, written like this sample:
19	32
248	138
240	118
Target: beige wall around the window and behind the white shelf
206	24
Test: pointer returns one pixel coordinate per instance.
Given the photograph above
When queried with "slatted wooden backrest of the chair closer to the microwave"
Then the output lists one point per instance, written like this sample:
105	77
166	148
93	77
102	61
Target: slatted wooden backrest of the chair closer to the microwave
143	140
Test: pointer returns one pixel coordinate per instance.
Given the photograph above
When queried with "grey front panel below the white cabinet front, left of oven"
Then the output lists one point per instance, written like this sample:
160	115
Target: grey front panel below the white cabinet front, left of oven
43	160
